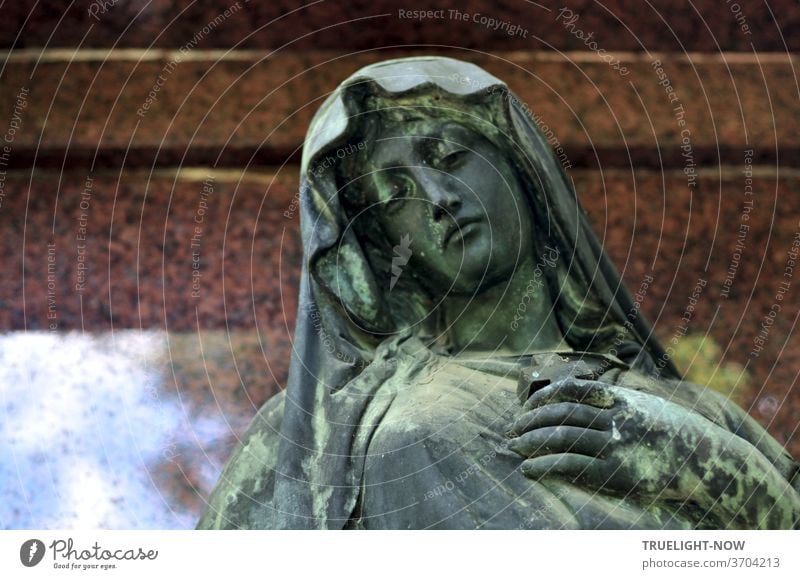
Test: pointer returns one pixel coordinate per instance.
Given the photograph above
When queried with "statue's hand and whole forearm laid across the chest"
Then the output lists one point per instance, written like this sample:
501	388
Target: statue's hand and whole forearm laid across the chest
637	444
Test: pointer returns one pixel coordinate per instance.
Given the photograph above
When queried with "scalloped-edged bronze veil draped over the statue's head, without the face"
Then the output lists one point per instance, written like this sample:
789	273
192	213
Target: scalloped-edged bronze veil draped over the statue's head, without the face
344	321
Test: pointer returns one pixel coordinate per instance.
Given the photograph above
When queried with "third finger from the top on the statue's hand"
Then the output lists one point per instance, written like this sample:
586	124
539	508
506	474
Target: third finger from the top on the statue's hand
561	439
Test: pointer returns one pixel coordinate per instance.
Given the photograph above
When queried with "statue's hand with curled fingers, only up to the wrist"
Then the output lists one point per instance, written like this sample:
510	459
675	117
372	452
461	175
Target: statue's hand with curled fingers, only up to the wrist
594	435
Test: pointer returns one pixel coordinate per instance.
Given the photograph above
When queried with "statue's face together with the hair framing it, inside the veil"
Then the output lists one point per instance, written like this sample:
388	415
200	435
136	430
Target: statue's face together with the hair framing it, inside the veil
429	183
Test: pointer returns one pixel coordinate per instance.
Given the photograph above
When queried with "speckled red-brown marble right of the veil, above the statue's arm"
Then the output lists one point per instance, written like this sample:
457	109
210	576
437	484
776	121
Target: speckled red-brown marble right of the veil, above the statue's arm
683	235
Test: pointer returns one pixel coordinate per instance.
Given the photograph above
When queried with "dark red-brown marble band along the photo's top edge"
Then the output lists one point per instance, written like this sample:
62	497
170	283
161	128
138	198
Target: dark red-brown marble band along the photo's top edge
703	25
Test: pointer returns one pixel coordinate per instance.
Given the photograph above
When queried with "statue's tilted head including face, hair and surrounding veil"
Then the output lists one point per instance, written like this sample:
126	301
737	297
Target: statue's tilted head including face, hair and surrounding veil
425	178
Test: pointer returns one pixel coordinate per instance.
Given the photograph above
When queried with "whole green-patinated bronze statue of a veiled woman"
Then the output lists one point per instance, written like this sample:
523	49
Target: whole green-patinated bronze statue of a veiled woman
466	355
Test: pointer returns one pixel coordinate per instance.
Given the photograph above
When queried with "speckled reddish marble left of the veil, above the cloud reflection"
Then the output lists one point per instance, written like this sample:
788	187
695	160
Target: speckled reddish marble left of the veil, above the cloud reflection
139	254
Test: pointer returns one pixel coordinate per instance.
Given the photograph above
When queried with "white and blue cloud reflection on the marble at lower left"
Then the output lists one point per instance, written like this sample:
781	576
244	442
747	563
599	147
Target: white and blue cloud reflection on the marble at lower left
86	422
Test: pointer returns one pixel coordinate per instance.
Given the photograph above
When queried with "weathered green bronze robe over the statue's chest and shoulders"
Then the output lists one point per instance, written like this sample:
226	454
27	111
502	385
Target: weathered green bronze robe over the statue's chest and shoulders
433	453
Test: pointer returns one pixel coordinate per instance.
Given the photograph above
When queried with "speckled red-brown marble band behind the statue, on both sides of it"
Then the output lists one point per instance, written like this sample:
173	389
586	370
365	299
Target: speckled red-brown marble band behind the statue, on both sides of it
139	262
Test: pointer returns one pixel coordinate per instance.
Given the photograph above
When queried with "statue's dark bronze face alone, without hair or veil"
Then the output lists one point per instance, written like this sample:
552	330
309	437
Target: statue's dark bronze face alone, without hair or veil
452	198
